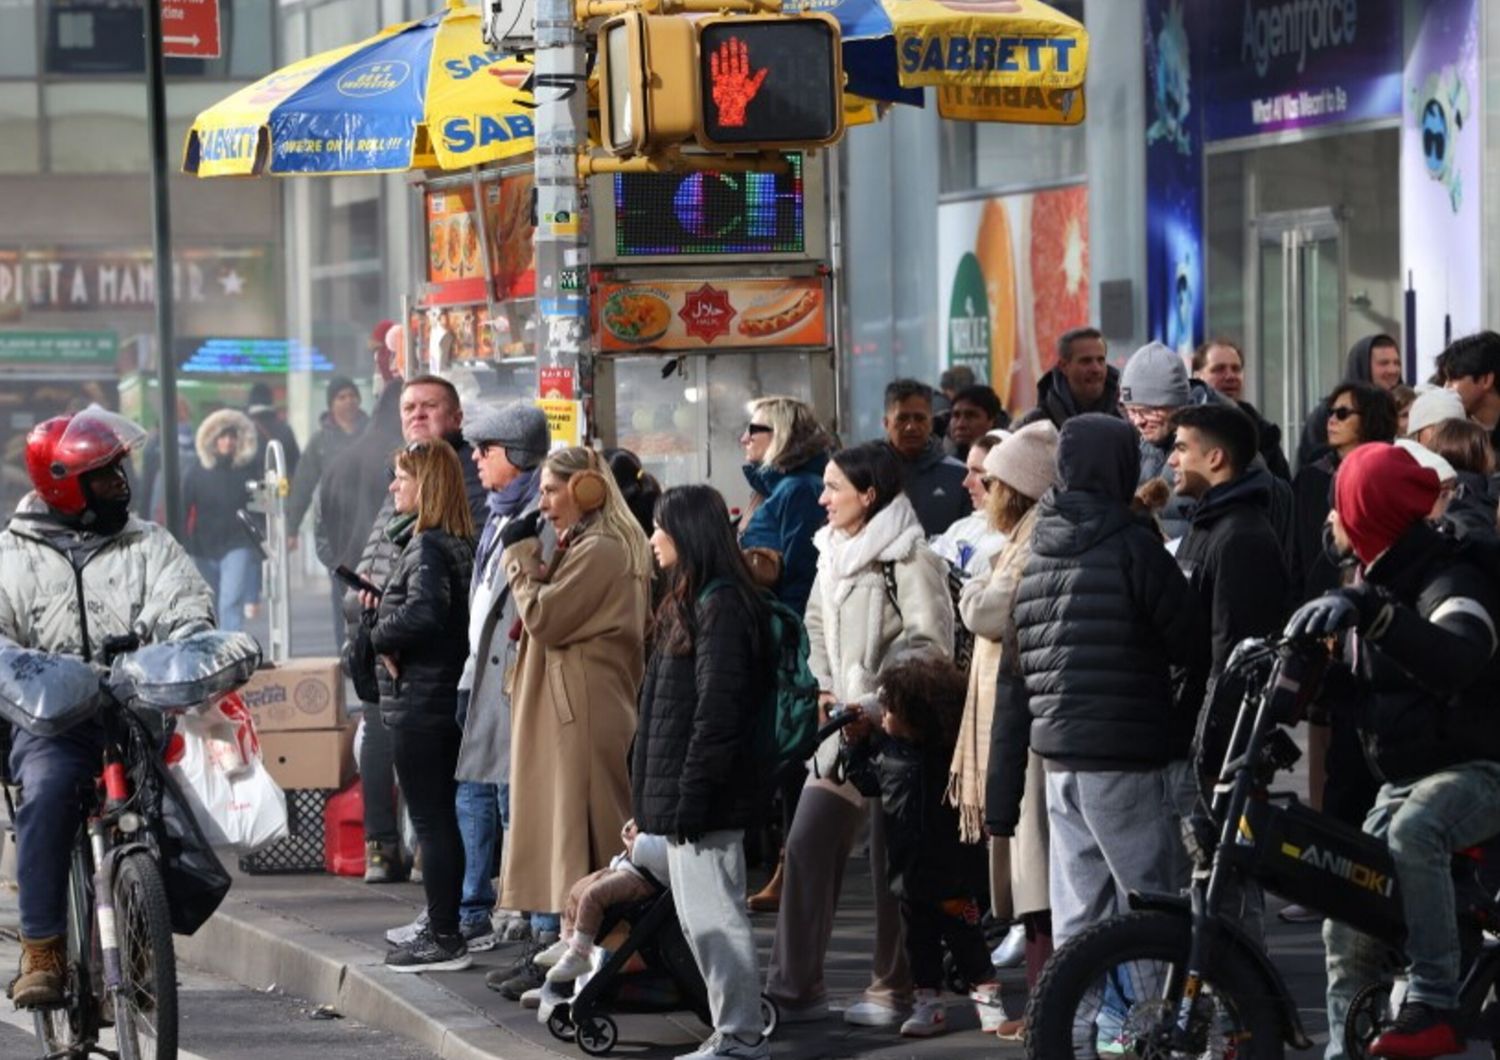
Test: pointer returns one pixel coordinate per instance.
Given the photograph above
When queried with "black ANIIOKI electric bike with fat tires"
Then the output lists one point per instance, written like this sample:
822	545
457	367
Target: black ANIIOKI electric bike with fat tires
1178	977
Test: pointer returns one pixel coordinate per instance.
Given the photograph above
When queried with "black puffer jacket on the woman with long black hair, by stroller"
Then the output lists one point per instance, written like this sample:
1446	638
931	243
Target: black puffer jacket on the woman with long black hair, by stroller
694	765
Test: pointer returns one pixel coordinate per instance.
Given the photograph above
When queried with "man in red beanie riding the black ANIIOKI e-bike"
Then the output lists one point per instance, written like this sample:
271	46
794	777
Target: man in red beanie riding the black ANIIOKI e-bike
1427	666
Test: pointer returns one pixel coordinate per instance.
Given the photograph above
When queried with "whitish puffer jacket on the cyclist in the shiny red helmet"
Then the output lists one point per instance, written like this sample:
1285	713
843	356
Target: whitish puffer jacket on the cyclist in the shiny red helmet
139	581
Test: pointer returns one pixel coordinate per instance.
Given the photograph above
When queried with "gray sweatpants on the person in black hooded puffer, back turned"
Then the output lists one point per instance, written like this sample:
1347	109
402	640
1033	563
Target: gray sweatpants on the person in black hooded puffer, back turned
1112	833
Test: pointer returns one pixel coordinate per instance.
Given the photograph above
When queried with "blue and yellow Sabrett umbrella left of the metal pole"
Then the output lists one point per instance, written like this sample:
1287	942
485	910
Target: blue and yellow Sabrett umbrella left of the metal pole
415	97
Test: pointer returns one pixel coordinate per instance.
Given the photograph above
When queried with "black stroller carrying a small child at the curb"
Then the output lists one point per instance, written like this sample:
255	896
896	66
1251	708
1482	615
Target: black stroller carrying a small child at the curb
656	935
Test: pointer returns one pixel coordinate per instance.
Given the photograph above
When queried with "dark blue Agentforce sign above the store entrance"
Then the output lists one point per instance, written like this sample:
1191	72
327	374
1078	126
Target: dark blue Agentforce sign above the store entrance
1279	65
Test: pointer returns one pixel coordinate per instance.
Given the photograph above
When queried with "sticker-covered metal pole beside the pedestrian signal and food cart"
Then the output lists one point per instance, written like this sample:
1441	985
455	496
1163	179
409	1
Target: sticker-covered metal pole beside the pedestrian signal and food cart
562	238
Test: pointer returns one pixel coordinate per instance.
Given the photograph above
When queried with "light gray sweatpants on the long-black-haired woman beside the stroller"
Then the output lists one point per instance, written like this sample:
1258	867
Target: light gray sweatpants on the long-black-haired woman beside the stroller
709	890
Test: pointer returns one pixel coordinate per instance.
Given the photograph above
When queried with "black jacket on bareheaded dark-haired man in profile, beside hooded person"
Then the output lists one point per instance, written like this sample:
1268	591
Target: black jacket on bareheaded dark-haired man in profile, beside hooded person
1234	560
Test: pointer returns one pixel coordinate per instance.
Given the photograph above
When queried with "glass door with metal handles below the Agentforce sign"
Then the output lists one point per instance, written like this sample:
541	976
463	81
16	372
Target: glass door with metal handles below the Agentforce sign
1303	280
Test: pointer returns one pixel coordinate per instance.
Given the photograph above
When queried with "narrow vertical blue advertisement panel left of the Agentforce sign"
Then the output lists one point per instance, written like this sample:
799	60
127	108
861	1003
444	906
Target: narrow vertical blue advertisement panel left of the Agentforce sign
1174	179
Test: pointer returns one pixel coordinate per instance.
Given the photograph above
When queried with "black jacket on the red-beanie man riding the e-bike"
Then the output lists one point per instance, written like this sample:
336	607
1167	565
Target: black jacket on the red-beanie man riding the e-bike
1432	672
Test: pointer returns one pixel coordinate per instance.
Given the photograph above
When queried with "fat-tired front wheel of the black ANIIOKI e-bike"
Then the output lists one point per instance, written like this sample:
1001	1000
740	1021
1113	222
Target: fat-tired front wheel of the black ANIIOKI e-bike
1111	989
